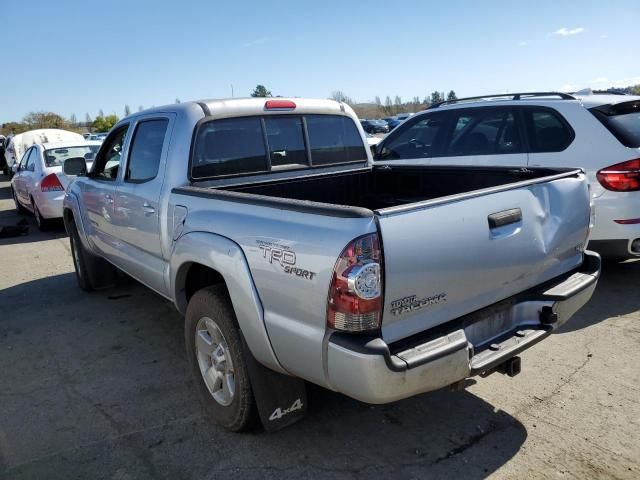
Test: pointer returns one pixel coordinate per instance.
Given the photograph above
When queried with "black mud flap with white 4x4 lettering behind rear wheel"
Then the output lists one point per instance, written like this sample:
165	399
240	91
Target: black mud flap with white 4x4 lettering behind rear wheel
281	399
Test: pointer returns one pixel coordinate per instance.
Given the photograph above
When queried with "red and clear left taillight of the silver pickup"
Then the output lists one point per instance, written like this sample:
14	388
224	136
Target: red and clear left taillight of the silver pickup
355	295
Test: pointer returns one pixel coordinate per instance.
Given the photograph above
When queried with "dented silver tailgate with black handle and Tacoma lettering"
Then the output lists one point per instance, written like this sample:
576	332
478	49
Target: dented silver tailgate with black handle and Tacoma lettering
451	256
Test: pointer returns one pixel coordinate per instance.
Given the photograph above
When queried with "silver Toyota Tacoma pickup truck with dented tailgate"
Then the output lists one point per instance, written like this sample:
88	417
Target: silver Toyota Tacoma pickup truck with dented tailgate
294	258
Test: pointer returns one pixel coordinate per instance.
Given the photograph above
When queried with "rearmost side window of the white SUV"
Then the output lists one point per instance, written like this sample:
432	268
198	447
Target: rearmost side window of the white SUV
547	131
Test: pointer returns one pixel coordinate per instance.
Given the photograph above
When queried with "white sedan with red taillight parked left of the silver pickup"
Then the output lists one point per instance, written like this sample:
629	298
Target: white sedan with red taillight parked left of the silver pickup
39	183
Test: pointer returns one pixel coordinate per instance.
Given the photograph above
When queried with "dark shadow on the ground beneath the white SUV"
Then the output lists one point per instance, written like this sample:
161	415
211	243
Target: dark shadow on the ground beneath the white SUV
615	295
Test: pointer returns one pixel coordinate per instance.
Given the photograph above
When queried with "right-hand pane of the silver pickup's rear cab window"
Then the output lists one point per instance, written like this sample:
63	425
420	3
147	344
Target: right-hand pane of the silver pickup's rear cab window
334	139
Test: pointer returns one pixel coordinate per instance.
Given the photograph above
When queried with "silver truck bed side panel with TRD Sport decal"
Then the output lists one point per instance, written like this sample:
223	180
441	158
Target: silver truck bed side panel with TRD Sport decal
271	240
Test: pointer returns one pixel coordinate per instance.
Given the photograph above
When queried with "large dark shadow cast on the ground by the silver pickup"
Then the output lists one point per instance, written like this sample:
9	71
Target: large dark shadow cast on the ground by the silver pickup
108	394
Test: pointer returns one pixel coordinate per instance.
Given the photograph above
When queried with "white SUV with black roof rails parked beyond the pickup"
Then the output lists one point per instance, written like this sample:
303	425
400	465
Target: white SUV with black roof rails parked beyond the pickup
600	133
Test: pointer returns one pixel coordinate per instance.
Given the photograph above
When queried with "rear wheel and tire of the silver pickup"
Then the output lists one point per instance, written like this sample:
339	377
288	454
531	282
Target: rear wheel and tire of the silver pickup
210	309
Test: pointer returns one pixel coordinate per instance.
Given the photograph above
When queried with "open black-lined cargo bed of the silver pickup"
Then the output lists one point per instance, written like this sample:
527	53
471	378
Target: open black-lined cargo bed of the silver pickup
384	187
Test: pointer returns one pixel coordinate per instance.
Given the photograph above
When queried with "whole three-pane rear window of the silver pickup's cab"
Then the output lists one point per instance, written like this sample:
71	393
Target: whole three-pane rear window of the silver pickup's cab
247	145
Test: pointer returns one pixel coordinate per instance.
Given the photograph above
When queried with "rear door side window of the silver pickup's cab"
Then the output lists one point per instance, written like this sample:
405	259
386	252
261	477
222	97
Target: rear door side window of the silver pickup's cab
146	150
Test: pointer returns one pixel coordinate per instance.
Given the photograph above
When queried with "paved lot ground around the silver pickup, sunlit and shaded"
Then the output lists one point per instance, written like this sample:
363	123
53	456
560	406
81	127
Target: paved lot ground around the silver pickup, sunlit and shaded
97	386
